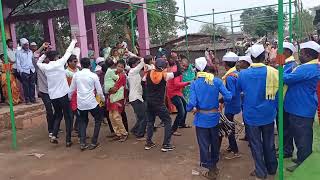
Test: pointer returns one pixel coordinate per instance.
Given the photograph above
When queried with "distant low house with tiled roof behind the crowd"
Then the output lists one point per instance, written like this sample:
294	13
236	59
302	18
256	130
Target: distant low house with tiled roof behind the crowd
197	44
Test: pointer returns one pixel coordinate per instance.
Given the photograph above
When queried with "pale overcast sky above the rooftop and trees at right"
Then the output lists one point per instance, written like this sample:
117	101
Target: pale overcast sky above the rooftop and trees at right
196	7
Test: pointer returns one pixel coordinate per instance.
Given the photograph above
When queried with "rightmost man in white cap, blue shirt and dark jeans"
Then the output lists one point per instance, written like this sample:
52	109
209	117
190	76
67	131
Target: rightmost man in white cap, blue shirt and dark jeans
300	102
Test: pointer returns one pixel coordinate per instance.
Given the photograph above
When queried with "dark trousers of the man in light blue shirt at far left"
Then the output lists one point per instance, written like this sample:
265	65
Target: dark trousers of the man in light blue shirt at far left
29	84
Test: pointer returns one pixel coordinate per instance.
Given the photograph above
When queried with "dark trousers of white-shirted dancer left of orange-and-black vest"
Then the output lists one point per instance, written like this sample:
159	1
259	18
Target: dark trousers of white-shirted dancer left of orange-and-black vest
139	108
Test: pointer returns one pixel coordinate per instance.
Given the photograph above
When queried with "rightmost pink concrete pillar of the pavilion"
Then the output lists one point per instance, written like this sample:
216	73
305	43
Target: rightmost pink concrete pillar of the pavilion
144	41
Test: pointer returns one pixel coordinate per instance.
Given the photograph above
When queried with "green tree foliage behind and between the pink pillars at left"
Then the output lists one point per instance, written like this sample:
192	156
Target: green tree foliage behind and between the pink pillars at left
110	25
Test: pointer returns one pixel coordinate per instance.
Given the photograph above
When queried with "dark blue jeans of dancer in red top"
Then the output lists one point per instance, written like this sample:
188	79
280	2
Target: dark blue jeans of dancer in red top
180	104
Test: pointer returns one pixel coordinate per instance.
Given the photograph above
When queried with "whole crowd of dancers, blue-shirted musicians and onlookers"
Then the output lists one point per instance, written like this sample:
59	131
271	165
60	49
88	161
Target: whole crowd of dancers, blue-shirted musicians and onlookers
155	85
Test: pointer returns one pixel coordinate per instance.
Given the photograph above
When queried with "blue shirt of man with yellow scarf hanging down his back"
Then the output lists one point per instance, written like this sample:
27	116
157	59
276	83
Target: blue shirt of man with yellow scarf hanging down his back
257	110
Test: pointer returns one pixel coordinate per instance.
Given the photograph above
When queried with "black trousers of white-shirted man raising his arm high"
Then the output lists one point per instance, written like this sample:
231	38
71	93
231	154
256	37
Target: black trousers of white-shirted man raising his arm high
62	108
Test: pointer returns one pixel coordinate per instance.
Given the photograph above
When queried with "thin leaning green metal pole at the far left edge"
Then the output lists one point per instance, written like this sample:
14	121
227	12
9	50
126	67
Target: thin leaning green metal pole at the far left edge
3	39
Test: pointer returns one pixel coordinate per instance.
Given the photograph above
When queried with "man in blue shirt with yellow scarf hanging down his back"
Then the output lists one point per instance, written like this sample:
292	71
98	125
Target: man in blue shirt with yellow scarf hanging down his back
259	83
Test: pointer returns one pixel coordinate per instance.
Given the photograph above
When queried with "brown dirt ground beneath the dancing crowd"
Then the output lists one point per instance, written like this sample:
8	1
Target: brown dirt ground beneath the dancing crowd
112	160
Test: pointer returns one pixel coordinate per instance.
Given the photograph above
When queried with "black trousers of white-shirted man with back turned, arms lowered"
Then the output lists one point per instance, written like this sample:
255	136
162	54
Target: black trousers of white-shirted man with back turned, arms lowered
83	117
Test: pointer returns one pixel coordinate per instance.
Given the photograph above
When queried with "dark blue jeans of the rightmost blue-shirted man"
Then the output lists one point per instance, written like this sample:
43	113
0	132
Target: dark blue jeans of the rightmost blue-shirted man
301	128
